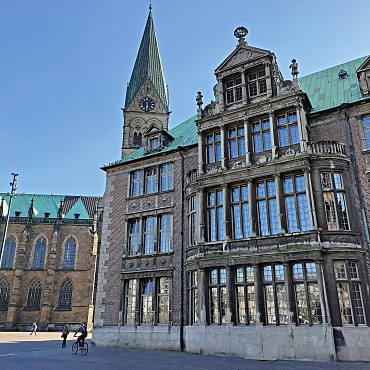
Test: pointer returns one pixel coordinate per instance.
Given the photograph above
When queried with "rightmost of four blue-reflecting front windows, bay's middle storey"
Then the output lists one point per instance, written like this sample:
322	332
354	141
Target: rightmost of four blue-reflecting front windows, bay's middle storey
296	204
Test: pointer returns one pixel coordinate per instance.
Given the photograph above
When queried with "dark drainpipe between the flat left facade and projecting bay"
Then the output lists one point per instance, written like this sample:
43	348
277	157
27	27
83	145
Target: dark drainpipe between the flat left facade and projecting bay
180	148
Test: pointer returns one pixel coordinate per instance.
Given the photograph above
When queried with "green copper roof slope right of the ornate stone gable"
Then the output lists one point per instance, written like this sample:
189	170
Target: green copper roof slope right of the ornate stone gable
326	90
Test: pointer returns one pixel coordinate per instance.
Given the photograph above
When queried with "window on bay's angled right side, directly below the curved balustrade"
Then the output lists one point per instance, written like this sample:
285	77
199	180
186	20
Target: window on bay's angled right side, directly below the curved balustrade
334	201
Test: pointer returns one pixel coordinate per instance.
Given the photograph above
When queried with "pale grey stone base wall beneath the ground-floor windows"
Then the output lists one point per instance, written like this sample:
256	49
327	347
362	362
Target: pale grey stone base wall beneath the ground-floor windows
286	342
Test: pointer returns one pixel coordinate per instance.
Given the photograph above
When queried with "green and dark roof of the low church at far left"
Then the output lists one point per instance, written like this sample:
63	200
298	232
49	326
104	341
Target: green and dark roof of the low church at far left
82	205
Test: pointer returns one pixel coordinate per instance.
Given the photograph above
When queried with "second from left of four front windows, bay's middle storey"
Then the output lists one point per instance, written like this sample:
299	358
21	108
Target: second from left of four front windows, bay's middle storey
240	212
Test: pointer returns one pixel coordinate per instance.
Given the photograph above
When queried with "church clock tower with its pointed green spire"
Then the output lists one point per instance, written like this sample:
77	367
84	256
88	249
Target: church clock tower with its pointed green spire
146	103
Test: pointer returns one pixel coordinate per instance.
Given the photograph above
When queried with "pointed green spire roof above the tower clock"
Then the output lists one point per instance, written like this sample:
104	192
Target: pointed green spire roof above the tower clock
148	64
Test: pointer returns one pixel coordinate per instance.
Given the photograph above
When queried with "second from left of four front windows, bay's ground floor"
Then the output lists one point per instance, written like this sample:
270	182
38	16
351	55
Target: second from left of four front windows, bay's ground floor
245	296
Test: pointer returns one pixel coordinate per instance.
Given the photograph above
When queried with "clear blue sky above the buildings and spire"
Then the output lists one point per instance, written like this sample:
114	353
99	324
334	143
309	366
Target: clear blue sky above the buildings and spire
65	65
